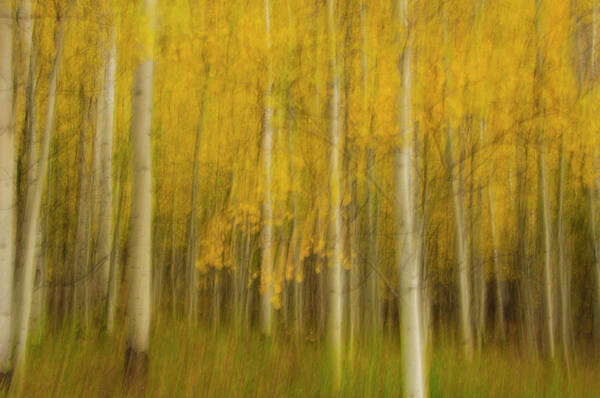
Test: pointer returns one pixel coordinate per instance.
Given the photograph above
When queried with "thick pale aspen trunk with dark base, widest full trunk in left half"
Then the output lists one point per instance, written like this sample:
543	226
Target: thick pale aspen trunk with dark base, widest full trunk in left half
140	244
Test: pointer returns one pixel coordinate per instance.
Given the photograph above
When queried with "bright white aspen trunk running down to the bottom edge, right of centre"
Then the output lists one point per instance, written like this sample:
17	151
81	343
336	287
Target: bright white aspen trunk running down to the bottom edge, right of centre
407	234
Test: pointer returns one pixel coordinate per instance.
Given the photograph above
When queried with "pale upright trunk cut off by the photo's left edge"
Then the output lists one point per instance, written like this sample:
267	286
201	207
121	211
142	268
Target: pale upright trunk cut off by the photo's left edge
7	187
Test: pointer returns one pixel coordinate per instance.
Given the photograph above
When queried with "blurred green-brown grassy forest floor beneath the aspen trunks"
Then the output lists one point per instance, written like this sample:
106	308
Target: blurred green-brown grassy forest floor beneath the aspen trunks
205	363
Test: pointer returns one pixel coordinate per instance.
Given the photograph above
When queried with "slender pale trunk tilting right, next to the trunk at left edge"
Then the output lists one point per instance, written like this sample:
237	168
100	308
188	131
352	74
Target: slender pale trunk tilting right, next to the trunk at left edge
32	210
